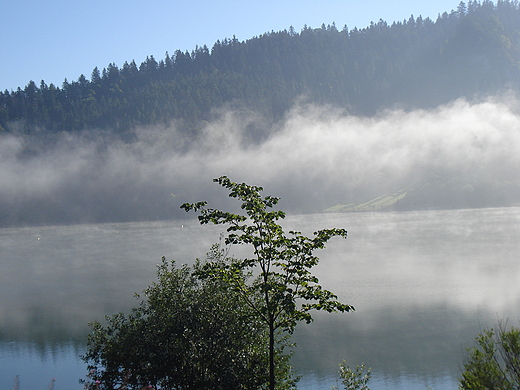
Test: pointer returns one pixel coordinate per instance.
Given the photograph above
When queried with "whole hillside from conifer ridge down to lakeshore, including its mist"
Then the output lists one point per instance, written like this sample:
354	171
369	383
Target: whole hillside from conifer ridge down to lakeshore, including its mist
408	115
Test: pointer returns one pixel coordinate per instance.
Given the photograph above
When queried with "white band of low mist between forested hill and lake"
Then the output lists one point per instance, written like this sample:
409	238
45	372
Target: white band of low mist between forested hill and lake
315	158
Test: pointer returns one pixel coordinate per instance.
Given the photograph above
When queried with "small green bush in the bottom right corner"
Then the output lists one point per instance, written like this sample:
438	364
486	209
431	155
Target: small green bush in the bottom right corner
494	362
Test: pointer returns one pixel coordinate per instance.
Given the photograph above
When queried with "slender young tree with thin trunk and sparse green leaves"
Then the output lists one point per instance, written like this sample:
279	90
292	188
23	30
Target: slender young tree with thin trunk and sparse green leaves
282	263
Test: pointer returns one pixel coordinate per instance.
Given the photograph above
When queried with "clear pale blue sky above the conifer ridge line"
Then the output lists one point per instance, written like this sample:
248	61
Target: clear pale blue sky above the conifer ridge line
57	39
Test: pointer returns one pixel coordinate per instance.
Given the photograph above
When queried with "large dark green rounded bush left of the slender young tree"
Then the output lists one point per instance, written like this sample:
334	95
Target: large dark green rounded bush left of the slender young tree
187	334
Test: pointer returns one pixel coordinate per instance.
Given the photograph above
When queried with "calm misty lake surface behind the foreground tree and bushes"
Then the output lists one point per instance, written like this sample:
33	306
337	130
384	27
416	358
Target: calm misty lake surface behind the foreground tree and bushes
423	285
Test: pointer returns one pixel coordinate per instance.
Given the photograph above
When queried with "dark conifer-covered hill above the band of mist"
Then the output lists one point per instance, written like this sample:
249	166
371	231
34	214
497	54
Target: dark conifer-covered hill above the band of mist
415	63
